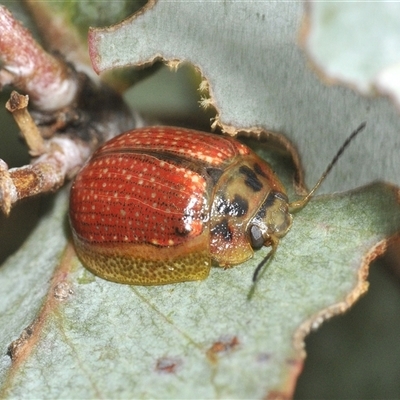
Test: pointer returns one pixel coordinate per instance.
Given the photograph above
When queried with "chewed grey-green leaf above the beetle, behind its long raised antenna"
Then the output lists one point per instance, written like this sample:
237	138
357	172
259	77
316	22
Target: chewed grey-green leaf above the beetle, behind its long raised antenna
258	75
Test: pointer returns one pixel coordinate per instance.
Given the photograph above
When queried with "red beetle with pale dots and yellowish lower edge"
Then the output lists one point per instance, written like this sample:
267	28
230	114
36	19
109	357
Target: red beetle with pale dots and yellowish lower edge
160	205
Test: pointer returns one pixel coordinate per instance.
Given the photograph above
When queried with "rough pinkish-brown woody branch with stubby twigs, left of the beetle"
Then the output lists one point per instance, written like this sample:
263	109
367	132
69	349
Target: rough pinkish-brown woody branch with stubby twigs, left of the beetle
69	116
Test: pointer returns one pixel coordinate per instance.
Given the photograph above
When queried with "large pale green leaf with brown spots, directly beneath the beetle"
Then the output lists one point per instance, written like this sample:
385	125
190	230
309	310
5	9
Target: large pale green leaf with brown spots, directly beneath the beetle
93	338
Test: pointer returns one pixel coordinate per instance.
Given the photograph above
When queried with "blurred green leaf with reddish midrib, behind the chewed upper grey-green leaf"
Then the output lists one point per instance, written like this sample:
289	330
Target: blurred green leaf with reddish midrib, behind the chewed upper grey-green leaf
63	26
